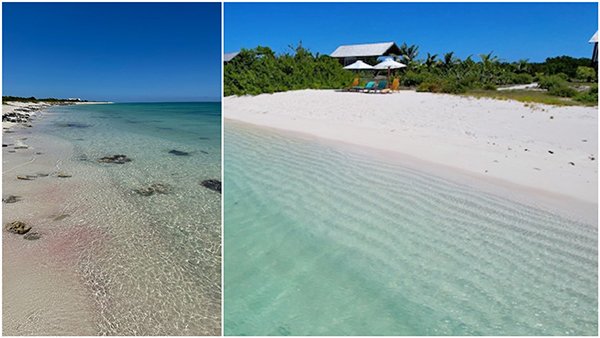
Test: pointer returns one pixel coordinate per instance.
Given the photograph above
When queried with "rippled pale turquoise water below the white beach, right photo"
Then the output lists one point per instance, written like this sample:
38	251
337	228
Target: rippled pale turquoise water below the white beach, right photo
325	241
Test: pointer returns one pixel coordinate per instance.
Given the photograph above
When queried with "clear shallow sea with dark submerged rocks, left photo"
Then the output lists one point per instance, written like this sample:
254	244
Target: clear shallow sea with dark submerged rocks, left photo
151	264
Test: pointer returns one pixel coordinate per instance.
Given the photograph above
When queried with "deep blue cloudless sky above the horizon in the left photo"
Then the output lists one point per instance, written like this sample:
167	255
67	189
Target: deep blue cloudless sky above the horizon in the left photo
112	51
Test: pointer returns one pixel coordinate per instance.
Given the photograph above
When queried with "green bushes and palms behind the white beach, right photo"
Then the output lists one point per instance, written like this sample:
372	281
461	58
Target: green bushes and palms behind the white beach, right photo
562	80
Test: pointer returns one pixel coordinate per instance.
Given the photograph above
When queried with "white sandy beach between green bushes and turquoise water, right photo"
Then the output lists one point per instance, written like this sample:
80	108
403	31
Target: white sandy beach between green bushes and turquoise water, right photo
547	150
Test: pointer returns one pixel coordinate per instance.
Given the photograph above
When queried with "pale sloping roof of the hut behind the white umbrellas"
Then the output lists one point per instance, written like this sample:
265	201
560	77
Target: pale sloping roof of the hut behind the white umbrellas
348	54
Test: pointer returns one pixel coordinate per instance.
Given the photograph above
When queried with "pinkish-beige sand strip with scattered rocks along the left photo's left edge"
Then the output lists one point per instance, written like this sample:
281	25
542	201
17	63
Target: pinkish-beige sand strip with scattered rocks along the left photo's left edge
36	272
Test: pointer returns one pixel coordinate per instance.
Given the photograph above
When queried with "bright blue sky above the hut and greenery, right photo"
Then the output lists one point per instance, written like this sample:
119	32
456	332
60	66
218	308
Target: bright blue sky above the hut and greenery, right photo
512	31
